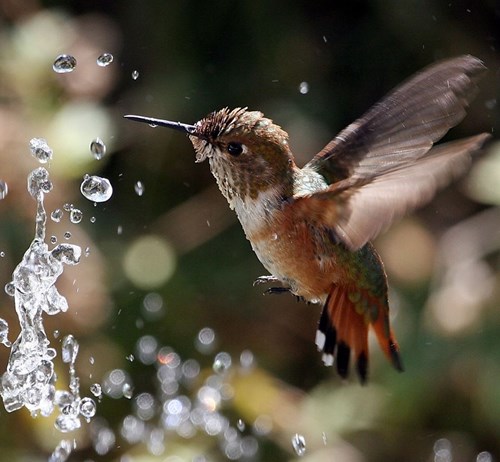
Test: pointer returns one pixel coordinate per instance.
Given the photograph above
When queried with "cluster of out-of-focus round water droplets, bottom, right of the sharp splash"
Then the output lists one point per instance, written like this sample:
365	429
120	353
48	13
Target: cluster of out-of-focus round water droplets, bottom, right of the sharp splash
188	401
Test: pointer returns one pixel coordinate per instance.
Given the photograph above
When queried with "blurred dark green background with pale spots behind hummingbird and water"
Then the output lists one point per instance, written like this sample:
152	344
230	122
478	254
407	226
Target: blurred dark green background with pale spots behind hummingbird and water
168	263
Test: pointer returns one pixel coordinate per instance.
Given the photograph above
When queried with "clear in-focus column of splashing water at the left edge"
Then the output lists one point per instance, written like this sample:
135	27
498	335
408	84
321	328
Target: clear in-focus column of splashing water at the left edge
30	380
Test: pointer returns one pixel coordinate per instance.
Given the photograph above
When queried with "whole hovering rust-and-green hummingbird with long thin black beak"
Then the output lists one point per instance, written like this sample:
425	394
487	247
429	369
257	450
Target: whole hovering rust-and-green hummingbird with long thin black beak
312	227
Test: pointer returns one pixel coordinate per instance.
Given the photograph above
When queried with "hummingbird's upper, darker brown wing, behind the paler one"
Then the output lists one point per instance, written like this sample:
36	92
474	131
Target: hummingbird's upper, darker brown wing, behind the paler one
403	126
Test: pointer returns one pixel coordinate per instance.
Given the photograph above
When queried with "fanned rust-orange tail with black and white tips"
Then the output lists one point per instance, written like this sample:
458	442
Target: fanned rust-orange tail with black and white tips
343	327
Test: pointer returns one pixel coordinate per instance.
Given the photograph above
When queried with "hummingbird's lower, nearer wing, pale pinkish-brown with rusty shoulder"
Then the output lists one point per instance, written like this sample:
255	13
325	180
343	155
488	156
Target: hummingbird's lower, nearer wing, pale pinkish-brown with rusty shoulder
358	211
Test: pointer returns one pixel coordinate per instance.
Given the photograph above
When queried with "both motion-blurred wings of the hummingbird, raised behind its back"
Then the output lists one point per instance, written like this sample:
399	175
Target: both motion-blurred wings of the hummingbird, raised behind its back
382	165
